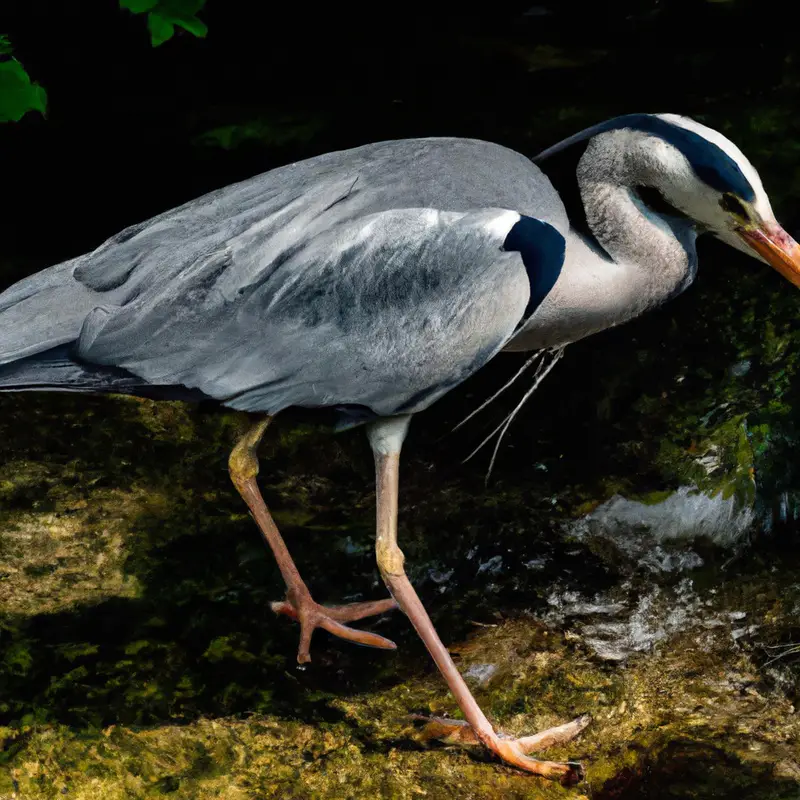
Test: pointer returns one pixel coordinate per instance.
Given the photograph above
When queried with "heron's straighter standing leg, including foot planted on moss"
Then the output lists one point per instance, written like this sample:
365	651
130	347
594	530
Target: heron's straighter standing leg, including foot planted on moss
386	438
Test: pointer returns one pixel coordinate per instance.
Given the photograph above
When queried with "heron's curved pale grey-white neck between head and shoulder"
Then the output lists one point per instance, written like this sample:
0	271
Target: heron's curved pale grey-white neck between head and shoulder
631	259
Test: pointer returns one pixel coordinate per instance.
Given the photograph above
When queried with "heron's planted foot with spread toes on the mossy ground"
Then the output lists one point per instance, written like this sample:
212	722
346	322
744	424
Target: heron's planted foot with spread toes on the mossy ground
514	751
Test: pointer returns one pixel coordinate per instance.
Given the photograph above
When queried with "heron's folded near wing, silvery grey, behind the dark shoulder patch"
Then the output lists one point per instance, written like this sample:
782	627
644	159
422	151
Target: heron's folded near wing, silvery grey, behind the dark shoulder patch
386	313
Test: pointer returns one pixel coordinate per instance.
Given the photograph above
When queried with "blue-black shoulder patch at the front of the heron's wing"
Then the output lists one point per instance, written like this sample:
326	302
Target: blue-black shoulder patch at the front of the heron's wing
542	249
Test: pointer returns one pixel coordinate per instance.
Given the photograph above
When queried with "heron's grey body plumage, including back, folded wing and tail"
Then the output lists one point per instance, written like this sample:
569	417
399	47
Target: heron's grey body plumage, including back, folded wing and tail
369	278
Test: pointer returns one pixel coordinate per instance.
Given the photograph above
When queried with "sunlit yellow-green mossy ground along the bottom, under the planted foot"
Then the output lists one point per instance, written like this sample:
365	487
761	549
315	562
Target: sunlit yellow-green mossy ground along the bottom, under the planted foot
678	696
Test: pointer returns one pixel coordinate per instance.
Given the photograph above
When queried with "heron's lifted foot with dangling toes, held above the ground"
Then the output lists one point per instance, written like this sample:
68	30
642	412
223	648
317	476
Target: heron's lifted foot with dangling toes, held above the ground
311	615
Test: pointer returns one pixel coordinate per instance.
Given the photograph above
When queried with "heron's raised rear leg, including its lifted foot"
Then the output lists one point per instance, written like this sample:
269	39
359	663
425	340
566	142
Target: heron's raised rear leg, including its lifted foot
298	605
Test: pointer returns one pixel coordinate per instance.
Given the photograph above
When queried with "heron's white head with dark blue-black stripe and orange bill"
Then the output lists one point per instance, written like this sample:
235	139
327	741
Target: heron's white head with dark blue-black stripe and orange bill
704	175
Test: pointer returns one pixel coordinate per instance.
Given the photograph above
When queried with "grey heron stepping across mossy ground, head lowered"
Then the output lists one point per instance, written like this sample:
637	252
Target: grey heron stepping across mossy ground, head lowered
372	281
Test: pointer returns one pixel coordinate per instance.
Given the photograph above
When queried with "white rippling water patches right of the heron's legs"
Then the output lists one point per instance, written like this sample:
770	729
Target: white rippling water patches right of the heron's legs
655	542
